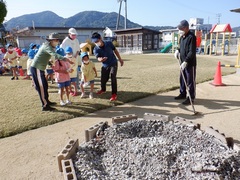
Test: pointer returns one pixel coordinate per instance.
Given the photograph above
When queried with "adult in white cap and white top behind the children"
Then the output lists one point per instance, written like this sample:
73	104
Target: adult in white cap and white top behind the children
72	41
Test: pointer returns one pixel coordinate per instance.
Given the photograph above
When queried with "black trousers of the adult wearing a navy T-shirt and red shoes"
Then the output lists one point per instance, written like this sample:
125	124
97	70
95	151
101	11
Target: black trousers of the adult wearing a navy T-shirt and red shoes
105	73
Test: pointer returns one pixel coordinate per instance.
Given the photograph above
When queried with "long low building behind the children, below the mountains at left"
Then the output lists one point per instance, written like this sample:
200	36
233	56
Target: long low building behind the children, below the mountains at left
38	35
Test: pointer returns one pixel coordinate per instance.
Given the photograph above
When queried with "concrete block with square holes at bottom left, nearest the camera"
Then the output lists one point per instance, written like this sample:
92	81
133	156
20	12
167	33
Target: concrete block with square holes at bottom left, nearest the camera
68	170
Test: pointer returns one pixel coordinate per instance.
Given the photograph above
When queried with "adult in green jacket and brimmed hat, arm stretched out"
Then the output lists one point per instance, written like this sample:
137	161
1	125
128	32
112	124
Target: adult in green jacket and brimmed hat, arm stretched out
38	66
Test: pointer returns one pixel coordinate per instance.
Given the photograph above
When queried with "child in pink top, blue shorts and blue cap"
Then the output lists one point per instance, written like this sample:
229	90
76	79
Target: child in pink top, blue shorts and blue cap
62	77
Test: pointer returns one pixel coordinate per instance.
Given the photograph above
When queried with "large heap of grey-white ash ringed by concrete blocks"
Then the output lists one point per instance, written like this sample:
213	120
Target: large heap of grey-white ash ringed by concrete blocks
153	149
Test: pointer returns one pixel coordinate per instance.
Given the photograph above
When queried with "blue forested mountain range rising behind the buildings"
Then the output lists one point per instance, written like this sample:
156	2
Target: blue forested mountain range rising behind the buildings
82	19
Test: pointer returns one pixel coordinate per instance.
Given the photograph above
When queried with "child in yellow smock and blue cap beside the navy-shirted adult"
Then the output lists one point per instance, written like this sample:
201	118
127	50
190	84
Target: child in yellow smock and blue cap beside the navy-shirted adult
89	72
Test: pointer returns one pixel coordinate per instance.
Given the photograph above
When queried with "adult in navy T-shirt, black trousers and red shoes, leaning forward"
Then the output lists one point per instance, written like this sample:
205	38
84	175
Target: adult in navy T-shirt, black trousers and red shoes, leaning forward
105	52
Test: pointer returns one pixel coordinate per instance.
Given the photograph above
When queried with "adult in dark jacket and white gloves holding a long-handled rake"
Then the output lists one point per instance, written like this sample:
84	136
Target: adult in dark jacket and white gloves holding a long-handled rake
188	60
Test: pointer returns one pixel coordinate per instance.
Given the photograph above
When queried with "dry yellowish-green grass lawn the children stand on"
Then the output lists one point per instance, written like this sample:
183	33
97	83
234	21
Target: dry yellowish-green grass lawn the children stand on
141	76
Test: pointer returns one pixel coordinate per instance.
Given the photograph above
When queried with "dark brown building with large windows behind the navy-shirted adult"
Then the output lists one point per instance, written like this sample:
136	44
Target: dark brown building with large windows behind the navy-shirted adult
137	40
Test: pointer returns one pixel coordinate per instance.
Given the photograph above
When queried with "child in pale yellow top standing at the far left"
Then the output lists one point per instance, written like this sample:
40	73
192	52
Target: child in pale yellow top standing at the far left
11	56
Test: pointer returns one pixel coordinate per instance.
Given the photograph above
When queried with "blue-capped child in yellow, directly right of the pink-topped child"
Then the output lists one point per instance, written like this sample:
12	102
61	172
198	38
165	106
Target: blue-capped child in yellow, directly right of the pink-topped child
73	75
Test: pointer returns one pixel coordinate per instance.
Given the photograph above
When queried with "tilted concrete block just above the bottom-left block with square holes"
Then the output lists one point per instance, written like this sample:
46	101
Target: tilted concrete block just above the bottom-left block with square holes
67	152
